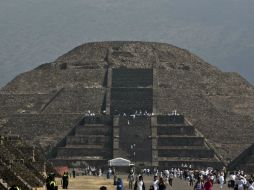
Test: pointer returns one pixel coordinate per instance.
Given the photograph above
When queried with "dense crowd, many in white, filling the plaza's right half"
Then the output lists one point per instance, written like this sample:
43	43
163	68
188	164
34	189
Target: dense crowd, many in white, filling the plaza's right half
196	179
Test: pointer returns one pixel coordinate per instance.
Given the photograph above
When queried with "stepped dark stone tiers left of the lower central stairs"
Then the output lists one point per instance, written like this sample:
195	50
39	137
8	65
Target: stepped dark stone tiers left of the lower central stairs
89	144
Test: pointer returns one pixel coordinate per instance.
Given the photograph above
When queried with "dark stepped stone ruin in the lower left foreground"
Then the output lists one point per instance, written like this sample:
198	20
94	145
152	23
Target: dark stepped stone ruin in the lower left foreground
17	166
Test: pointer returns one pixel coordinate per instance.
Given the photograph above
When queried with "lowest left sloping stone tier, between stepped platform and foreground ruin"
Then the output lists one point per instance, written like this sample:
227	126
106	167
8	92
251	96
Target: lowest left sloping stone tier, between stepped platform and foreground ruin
49	128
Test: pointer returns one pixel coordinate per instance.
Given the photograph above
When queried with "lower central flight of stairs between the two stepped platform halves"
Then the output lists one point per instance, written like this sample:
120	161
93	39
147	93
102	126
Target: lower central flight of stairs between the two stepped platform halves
132	139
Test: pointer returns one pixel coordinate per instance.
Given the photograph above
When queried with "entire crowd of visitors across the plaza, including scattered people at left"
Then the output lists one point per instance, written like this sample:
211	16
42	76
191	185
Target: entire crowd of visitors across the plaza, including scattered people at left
203	179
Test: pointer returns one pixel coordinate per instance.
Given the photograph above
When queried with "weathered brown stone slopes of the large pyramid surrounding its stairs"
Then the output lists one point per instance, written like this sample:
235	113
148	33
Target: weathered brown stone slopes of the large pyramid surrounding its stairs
219	104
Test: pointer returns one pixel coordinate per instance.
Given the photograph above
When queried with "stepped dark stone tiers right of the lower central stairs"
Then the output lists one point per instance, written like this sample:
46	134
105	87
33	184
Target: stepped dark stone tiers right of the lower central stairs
179	143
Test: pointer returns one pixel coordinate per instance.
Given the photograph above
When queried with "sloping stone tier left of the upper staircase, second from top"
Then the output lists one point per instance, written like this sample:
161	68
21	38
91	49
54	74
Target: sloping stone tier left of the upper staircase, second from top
52	79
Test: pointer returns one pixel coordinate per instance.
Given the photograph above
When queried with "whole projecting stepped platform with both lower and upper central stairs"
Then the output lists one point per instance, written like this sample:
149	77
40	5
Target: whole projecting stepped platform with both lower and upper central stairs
149	141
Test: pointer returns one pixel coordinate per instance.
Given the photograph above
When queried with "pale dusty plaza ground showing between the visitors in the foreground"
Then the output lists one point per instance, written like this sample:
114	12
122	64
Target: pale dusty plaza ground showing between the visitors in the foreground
93	183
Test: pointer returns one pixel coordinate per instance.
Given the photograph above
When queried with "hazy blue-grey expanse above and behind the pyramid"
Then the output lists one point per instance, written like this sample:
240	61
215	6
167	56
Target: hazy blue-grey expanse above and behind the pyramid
33	32
